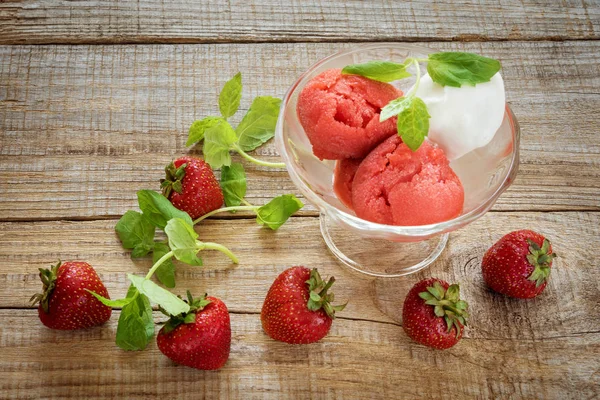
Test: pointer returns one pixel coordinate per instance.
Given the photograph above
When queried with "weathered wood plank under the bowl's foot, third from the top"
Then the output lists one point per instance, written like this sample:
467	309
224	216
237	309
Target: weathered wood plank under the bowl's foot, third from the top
568	305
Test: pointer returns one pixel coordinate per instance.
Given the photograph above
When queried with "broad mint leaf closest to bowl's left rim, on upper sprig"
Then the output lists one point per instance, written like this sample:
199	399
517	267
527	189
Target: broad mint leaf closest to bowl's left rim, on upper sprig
258	125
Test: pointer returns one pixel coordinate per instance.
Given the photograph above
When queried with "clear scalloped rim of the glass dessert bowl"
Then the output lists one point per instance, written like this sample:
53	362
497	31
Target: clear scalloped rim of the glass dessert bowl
373	229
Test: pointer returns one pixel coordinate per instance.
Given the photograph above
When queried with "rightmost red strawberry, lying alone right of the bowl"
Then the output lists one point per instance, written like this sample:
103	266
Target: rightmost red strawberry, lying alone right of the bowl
518	265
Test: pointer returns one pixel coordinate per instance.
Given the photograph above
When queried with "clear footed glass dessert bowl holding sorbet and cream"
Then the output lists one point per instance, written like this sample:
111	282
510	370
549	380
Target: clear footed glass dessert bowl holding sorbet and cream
390	250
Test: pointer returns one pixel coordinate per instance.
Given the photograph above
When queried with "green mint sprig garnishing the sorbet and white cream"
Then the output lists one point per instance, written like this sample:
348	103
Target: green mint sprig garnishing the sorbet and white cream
445	68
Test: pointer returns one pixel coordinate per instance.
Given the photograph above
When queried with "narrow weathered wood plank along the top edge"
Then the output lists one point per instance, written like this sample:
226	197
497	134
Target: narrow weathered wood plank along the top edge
154	21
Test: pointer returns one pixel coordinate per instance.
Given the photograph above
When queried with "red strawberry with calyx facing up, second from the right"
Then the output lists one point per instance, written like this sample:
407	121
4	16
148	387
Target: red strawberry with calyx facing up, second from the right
433	314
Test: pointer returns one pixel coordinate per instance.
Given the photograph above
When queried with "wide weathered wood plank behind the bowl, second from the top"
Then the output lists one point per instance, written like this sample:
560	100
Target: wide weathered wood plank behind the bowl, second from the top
83	127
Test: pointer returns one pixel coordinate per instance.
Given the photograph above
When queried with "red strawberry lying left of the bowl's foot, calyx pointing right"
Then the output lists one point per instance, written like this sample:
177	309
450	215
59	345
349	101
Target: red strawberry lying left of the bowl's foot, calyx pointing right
298	308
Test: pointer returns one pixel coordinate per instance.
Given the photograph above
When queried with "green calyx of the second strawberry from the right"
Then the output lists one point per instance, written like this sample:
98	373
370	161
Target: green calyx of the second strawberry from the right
447	305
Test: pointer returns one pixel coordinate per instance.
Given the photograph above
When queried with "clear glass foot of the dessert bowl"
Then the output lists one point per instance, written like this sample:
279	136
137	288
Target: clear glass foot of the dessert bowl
380	258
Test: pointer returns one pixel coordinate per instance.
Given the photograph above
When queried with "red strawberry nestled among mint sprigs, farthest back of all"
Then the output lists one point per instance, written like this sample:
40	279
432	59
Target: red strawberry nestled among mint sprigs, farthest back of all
191	186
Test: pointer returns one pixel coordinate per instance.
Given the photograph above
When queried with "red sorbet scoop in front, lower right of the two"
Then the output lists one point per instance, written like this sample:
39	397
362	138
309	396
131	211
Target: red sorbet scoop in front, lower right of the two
396	186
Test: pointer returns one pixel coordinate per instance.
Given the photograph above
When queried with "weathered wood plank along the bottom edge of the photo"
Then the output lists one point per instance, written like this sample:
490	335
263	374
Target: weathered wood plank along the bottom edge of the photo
87	364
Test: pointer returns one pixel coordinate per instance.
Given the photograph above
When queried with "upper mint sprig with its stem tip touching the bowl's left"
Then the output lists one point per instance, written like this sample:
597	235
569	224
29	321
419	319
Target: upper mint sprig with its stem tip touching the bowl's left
220	138
